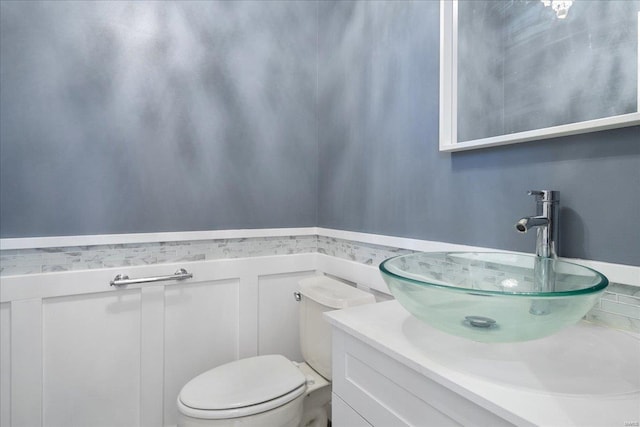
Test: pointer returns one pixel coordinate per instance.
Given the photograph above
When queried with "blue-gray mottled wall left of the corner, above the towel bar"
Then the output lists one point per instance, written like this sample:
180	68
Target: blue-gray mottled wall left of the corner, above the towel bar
120	117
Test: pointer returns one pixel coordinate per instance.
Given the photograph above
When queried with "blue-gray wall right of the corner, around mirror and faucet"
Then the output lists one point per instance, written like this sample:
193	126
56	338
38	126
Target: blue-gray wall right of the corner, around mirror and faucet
381	171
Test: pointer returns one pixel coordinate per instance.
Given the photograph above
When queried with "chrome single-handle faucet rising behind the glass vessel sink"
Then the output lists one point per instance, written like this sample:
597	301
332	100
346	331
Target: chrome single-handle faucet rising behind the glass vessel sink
546	222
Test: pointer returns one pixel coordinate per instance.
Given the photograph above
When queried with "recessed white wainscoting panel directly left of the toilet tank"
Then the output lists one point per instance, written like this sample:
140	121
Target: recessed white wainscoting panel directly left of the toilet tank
278	330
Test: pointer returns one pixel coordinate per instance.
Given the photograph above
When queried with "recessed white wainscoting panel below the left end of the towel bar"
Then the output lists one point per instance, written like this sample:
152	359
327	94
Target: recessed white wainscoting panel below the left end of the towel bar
91	359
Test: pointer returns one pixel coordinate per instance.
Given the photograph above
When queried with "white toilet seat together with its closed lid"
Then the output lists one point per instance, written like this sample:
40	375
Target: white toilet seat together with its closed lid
242	388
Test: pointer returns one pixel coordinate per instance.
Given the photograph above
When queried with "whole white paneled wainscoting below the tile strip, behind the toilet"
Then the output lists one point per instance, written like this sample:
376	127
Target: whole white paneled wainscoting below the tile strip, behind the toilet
78	352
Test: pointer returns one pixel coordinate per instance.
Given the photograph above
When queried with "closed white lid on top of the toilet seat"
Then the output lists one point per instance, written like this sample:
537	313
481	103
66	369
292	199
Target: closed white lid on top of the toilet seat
244	382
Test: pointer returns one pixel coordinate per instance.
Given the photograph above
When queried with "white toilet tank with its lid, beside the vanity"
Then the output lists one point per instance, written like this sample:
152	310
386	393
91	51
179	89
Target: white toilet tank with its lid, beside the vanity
320	294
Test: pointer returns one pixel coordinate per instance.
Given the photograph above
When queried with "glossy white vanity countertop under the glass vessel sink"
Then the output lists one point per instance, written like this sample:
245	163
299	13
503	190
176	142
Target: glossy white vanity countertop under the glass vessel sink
585	375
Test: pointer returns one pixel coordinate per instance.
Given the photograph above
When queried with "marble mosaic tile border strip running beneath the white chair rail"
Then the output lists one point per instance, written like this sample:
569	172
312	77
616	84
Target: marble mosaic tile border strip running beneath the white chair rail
619	306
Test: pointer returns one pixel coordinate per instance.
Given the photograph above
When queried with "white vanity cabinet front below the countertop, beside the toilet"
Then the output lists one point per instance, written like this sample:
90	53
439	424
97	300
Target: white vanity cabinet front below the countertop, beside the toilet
372	389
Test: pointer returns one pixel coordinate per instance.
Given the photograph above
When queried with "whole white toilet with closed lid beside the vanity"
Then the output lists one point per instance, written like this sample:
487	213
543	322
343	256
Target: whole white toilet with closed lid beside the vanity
271	390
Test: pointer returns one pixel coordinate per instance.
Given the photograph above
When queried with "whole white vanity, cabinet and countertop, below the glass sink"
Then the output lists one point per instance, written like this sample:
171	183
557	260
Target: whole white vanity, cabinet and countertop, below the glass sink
390	369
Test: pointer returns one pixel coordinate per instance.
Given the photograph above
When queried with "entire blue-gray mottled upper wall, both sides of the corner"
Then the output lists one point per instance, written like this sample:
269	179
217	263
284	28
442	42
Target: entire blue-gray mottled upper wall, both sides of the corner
120	117
